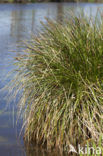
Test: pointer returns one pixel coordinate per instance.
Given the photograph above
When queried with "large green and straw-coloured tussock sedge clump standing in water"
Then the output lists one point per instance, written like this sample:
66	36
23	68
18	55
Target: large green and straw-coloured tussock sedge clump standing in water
61	78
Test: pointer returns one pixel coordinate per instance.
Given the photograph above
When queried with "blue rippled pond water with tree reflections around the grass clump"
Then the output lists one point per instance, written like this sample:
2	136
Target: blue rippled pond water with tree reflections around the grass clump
17	23
